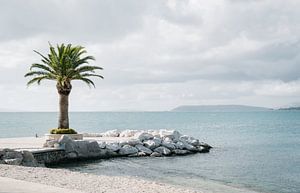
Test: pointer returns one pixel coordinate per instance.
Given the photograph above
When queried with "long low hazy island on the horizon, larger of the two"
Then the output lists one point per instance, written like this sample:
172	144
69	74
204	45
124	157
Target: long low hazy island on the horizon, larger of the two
219	108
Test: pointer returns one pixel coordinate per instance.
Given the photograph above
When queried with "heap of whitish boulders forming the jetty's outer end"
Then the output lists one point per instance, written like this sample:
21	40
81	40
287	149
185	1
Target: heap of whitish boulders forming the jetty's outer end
155	143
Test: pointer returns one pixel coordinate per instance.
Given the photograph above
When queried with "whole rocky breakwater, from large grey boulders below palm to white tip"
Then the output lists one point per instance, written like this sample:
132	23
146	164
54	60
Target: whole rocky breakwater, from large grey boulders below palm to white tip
138	143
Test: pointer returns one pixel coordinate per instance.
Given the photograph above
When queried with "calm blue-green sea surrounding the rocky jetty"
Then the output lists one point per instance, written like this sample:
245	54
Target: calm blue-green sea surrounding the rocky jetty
256	150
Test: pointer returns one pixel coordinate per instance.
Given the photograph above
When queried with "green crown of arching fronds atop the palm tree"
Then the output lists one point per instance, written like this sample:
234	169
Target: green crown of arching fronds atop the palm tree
64	63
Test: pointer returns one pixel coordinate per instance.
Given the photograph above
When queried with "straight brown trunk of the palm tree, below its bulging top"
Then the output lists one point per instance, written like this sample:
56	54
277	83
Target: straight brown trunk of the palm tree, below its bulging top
63	121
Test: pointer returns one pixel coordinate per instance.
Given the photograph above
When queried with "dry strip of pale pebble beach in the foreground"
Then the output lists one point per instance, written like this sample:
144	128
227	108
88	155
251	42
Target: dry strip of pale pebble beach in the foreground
84	182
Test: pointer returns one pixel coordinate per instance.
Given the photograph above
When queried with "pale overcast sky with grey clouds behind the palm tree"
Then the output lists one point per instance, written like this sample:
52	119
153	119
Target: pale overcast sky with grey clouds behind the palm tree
156	54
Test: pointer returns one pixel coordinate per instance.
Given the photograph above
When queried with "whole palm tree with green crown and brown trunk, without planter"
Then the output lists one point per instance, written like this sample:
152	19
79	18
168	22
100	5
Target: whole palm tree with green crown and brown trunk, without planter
64	64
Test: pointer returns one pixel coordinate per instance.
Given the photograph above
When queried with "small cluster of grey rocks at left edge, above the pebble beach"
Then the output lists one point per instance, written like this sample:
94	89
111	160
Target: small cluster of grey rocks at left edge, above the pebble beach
13	157
